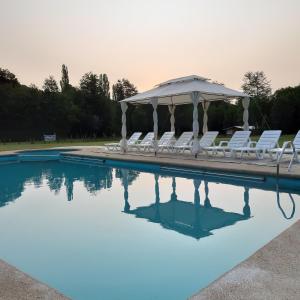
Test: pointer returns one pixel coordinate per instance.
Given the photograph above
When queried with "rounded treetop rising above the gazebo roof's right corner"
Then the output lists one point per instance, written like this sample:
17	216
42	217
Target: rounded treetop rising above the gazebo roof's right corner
256	84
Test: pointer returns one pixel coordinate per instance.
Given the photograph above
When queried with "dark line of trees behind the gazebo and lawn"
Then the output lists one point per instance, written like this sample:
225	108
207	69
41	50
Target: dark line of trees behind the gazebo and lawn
92	110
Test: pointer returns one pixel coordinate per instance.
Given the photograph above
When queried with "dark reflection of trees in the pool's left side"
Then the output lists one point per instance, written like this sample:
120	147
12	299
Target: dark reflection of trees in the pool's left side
14	177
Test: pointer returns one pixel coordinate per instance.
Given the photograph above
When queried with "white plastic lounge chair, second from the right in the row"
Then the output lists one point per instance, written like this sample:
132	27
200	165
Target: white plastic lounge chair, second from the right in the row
266	143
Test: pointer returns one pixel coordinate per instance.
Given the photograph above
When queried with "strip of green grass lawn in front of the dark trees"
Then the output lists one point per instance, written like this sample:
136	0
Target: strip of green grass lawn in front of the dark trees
92	142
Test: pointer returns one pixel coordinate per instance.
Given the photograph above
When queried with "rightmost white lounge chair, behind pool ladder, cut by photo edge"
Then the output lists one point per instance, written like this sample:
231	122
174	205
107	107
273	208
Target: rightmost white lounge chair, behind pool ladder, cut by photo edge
289	147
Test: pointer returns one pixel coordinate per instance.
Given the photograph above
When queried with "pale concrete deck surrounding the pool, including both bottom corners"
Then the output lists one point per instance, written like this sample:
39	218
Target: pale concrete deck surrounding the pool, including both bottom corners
273	272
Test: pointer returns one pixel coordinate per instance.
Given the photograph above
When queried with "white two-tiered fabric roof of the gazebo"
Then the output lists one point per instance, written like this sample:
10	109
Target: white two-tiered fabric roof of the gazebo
177	91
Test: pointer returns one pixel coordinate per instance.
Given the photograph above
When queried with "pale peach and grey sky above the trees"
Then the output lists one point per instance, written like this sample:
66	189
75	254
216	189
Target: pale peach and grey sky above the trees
151	41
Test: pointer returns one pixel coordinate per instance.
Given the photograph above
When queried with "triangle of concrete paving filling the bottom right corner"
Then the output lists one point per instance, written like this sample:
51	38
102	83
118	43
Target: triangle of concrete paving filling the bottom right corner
272	273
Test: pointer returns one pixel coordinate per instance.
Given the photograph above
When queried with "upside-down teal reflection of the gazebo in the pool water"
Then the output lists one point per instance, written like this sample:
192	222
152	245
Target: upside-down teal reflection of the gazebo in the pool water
192	219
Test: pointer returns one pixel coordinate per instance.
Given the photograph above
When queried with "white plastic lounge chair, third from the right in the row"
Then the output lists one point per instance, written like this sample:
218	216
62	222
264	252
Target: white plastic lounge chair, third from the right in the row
238	140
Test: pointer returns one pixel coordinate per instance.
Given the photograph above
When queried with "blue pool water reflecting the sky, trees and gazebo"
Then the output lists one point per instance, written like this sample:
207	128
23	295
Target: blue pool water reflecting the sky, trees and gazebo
110	232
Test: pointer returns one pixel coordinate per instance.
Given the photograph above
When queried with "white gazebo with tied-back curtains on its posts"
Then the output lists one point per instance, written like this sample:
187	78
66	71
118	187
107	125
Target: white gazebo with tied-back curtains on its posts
184	90
